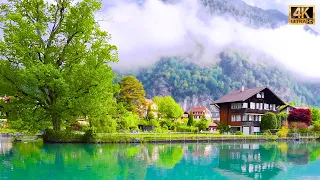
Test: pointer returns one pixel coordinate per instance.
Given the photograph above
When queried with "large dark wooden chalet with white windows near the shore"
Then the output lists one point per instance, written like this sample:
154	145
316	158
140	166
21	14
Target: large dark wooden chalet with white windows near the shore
242	110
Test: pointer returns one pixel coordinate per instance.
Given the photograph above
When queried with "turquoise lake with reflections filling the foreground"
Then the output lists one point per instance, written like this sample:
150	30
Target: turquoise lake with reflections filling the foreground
273	160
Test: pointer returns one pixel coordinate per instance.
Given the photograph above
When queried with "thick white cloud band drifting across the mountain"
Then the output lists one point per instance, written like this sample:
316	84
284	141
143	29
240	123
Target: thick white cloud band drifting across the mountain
146	33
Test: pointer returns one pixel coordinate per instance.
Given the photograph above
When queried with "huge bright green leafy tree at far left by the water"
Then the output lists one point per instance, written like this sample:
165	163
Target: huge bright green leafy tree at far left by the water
54	61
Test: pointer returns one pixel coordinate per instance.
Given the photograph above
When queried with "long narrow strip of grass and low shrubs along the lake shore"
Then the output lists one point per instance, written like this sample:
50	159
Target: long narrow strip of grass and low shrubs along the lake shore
88	137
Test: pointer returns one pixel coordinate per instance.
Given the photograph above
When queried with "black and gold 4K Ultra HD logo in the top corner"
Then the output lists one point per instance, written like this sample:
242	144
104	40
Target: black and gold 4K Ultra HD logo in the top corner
301	14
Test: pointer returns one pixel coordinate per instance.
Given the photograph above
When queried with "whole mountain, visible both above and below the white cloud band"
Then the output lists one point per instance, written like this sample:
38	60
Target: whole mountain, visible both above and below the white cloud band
193	84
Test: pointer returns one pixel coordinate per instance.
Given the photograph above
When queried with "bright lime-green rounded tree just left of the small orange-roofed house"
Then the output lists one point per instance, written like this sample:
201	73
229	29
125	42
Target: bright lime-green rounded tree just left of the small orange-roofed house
168	108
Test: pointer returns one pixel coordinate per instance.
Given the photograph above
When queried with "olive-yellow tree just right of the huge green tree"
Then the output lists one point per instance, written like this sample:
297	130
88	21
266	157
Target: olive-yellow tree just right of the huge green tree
132	95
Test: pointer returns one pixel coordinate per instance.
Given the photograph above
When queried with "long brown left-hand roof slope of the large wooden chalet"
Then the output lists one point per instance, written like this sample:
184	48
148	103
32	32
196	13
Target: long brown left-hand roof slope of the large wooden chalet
239	96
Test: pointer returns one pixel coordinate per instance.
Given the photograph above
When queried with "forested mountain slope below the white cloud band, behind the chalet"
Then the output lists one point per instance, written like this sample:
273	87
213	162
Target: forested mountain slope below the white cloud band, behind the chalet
192	85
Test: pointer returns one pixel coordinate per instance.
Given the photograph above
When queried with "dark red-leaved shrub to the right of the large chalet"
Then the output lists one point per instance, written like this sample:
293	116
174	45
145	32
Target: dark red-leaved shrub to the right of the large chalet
300	115
